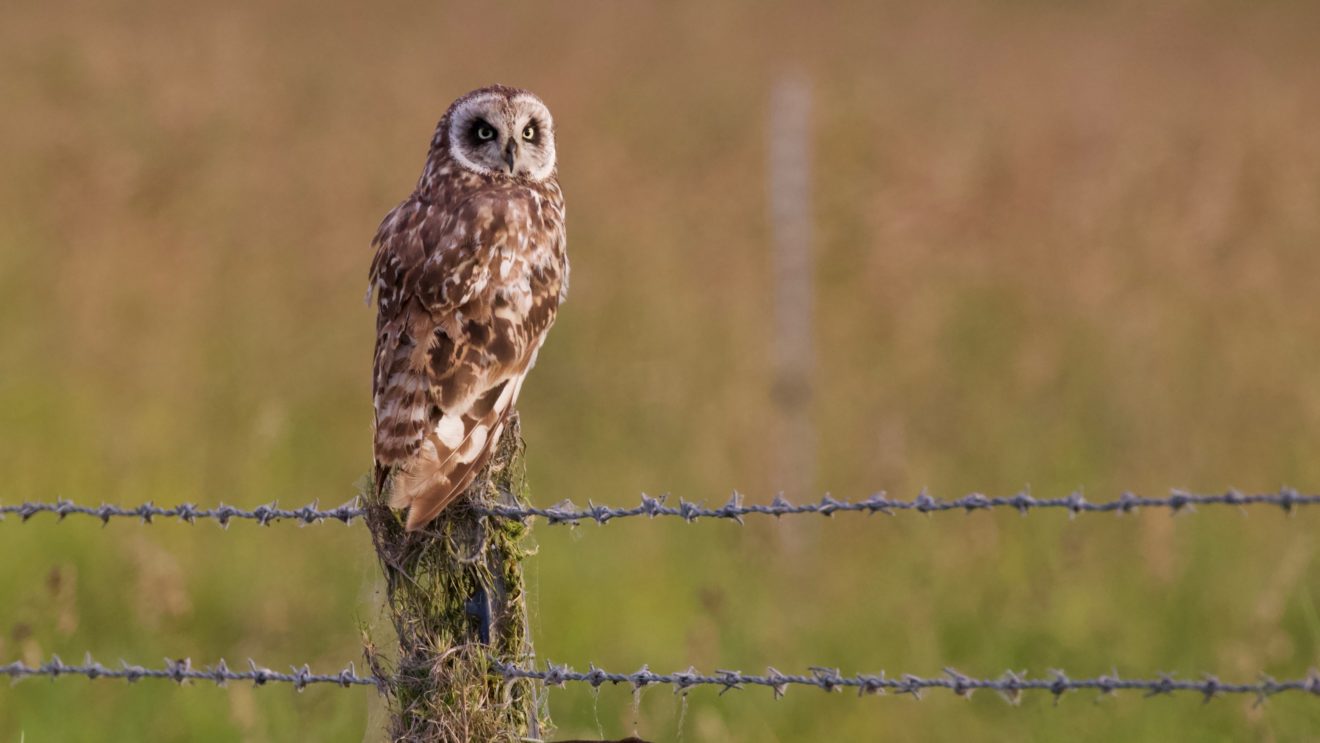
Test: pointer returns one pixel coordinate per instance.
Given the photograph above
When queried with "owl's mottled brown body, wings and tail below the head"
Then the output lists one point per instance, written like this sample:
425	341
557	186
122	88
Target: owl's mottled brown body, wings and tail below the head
467	291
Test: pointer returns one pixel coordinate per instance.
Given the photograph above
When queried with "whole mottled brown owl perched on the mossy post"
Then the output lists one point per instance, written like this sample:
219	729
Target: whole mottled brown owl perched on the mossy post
469	274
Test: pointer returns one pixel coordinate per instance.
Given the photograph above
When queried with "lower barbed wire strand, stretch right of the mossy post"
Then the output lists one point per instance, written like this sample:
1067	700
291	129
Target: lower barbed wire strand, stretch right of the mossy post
1010	686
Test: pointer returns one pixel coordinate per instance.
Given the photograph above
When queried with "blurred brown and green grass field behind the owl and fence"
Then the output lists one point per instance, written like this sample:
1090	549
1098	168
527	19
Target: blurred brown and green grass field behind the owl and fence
1058	246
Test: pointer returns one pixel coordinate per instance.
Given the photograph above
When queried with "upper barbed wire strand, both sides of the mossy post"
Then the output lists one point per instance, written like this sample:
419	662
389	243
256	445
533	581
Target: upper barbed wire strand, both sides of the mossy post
736	509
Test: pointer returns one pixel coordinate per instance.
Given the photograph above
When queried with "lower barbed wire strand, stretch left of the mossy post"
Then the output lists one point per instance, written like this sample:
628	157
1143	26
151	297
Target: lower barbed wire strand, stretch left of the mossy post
181	671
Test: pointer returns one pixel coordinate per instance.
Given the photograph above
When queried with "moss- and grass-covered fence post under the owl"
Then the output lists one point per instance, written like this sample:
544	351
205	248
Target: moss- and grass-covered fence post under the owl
455	593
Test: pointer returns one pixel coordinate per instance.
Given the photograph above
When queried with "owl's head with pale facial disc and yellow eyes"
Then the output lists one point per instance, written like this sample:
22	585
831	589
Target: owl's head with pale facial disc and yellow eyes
504	133
